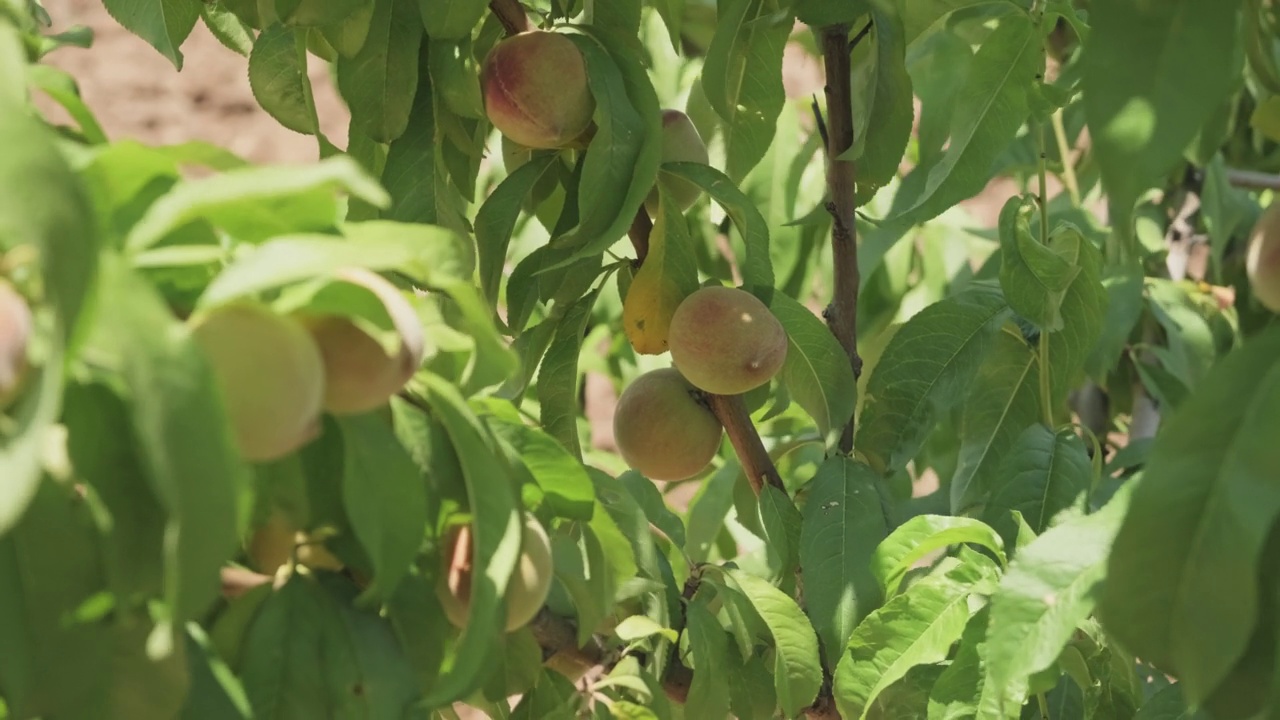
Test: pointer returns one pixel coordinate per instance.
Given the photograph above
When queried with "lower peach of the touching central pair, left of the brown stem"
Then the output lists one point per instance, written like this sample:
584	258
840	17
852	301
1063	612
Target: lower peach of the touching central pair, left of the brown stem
662	431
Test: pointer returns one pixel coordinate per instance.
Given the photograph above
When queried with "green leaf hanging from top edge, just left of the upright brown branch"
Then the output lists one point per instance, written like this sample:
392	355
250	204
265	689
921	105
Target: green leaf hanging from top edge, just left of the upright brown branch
743	79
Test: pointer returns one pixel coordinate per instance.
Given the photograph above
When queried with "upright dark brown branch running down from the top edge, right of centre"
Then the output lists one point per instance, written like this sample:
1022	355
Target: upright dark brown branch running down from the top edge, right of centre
843	312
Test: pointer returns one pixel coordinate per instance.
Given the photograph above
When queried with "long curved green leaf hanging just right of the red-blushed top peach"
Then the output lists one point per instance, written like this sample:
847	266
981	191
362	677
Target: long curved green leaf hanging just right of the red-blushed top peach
621	163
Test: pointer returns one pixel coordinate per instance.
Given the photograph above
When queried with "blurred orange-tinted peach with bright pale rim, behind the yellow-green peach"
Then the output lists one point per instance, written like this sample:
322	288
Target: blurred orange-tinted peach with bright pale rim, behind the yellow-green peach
360	375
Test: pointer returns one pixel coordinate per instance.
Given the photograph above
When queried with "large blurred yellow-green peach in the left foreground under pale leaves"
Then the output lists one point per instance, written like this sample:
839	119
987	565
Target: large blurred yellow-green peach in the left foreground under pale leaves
271	375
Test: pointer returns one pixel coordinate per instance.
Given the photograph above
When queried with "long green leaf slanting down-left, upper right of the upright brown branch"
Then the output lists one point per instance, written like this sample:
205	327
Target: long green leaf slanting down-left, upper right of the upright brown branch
991	107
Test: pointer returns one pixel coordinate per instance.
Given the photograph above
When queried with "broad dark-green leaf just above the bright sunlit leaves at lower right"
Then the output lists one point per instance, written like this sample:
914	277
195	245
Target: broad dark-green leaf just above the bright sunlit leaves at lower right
1044	475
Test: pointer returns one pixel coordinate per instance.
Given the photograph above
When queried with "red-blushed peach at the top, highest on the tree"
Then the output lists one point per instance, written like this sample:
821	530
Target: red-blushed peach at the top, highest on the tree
536	90
